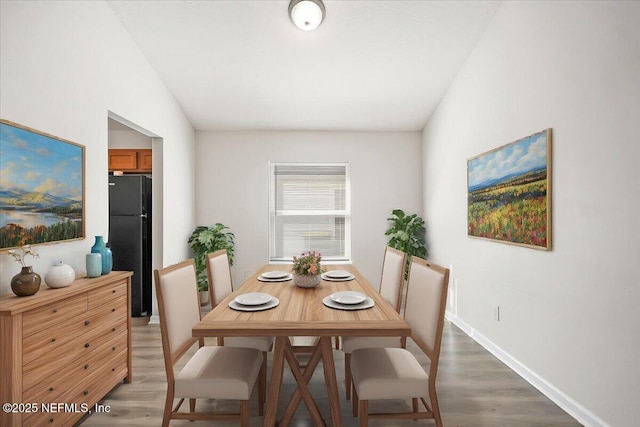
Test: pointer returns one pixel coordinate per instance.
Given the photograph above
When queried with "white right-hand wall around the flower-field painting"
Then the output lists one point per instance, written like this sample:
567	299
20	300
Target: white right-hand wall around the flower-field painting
569	316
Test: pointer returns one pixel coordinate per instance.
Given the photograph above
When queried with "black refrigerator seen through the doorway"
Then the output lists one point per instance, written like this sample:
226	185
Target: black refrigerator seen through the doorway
130	235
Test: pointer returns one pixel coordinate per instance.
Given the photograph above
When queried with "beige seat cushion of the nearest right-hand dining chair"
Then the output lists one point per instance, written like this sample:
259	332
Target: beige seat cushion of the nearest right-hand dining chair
388	373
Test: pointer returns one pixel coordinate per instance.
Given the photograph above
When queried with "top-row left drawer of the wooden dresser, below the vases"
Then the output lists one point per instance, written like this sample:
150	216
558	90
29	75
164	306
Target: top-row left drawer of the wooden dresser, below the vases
49	315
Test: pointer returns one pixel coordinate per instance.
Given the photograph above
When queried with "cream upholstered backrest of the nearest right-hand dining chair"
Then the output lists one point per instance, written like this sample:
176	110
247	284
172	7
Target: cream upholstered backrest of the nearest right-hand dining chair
425	305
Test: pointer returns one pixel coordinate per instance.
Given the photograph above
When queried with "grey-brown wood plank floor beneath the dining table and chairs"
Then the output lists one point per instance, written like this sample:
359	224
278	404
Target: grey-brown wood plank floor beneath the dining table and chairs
474	389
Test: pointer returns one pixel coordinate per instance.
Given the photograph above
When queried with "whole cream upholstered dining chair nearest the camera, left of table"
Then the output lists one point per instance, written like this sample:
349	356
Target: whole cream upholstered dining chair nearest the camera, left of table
212	372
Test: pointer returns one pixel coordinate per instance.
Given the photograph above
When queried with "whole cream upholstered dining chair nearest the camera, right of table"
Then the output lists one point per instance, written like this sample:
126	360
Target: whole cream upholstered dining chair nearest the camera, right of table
394	373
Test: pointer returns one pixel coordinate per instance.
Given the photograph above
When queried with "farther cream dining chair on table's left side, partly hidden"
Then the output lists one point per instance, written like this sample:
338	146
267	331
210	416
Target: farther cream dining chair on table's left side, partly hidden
220	286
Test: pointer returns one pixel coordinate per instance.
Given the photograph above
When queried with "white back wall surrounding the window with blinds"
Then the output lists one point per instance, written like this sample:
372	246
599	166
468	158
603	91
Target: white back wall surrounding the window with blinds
233	181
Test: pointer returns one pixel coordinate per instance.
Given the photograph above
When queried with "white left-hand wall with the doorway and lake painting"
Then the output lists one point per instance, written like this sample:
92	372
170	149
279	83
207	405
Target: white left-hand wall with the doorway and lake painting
64	67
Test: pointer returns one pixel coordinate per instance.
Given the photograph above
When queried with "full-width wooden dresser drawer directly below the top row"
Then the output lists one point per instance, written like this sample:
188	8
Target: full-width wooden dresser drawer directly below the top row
49	344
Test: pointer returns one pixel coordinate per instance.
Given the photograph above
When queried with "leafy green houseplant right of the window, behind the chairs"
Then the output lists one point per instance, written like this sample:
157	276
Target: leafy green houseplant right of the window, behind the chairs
407	233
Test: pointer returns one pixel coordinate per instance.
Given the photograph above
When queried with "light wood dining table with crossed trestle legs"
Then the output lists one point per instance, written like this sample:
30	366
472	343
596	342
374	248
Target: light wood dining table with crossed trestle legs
295	311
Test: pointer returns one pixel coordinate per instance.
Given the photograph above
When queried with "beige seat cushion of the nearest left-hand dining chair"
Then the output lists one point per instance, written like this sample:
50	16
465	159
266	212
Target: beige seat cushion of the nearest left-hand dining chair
219	373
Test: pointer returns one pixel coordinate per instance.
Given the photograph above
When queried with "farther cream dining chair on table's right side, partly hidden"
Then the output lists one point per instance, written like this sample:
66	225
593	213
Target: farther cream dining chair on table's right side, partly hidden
391	283
